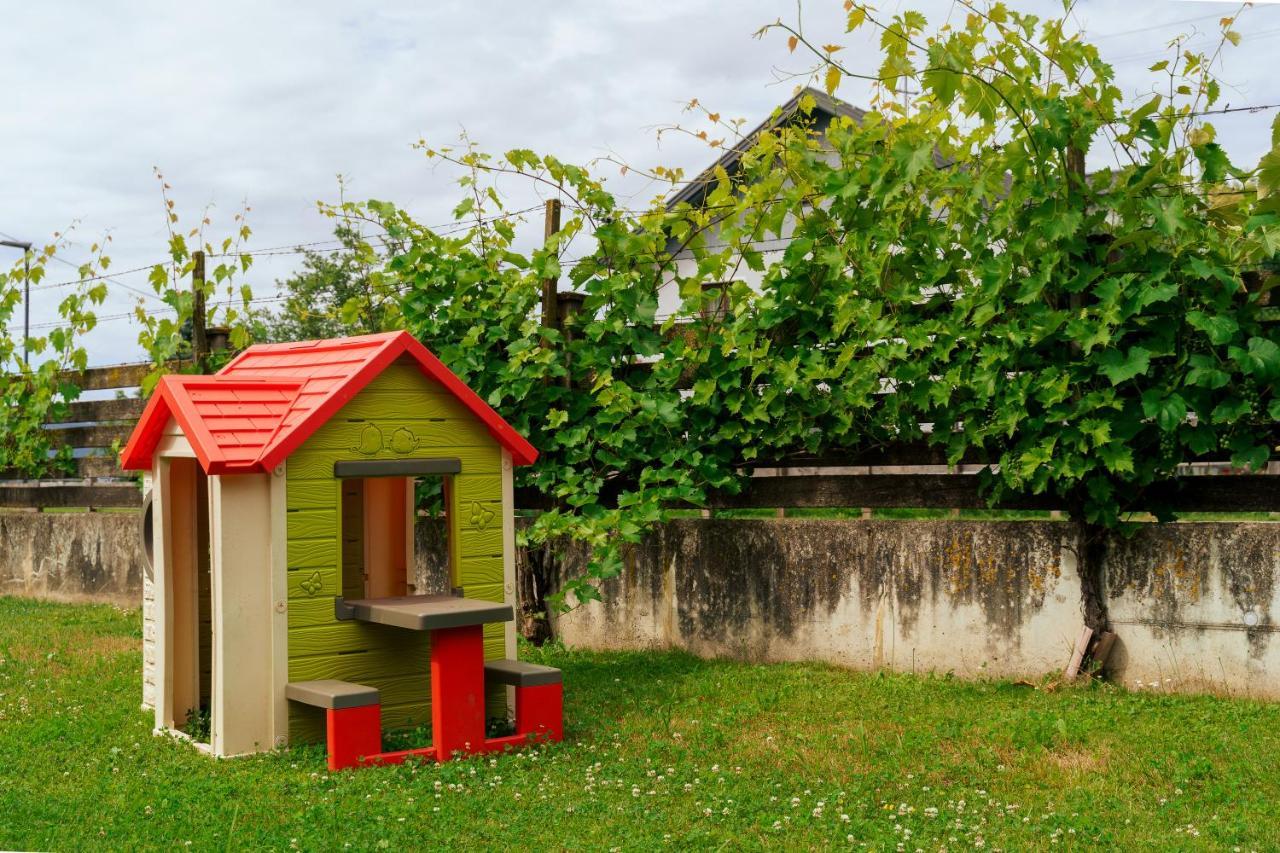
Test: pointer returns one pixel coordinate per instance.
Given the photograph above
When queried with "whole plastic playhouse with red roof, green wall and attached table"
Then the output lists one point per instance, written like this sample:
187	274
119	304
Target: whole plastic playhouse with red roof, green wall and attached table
281	528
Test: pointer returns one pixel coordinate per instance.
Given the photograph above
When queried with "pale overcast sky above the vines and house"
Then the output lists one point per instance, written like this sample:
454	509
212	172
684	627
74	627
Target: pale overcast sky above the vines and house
268	102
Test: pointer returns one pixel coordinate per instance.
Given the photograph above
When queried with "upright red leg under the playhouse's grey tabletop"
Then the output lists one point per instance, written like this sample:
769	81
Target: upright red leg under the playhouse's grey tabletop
458	691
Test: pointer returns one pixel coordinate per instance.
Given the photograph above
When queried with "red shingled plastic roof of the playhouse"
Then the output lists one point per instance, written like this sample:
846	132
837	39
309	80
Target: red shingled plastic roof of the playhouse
272	398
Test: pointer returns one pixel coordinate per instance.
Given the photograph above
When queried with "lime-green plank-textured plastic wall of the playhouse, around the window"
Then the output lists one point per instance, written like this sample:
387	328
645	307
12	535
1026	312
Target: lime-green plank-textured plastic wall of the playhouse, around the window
401	414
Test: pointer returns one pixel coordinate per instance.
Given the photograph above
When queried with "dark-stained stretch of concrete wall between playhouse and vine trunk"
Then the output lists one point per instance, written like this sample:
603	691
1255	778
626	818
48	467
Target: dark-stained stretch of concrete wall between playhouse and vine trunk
862	594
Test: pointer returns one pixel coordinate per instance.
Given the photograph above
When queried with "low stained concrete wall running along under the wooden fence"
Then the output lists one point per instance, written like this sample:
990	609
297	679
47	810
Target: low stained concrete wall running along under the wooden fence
1196	606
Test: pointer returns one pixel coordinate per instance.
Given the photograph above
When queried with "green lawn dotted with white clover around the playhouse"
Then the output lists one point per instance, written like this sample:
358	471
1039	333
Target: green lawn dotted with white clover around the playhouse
660	750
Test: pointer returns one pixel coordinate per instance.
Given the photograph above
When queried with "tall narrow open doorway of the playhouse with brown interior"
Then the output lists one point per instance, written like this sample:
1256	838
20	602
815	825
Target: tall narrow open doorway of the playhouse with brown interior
190	600
